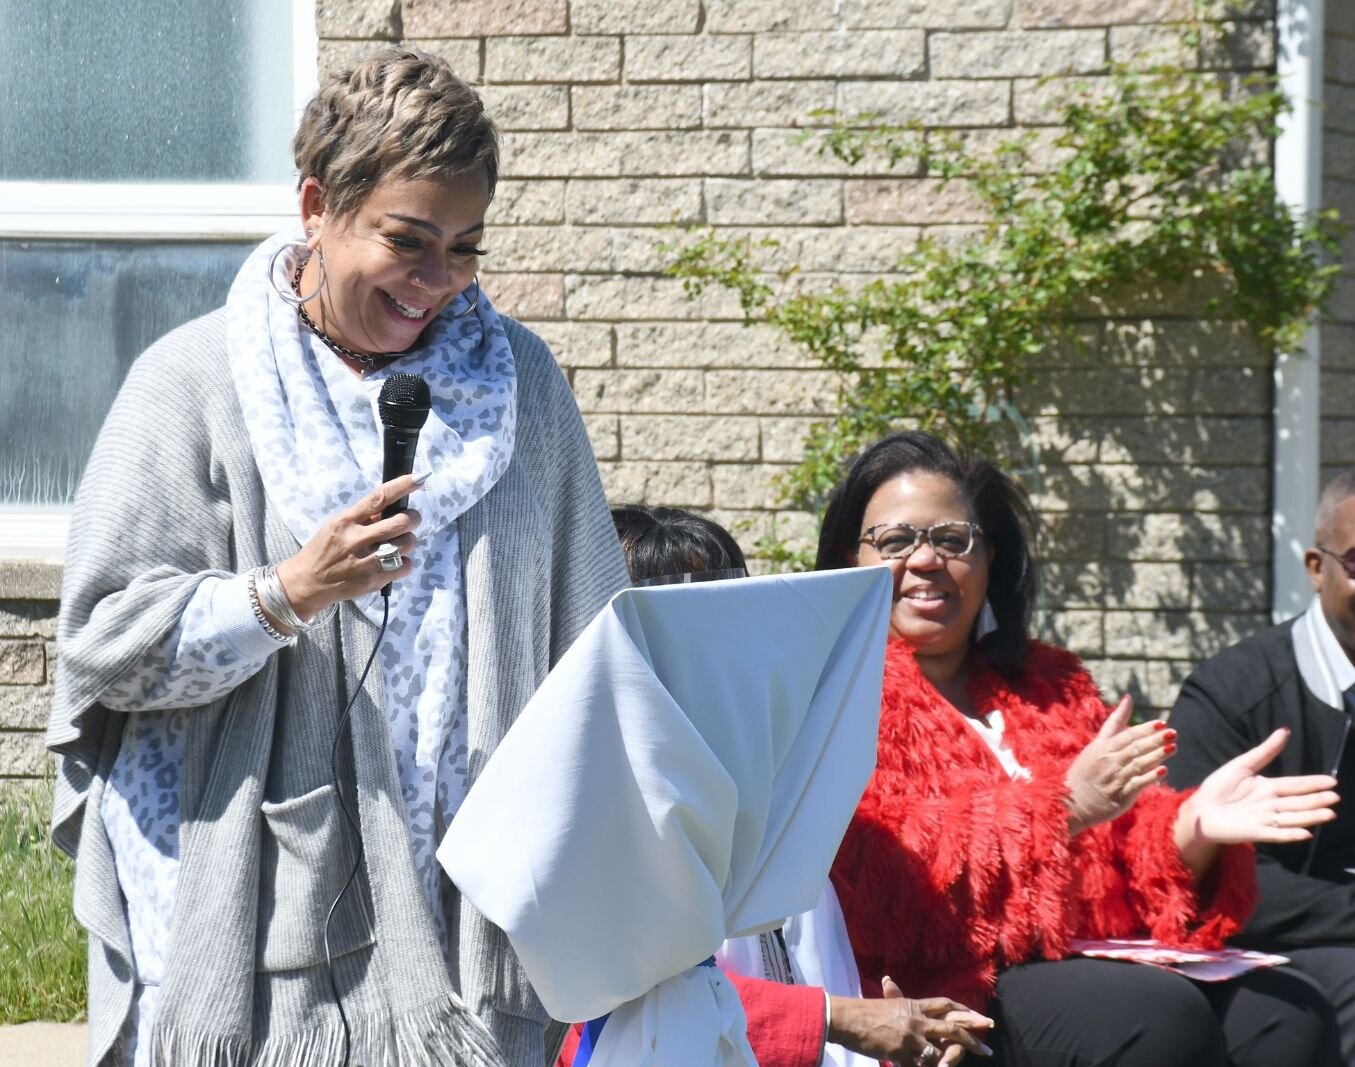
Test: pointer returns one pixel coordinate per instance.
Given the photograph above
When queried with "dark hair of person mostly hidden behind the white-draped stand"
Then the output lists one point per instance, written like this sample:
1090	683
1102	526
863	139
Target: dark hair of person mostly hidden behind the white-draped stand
662	542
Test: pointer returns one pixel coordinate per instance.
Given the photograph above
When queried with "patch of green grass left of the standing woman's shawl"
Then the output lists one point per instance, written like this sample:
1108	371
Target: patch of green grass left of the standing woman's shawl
43	950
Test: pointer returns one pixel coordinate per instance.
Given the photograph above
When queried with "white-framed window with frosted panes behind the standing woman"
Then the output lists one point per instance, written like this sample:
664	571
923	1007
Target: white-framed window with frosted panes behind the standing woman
144	150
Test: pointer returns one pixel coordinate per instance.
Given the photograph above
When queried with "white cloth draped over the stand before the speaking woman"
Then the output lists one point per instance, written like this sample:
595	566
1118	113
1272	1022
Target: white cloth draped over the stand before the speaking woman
685	775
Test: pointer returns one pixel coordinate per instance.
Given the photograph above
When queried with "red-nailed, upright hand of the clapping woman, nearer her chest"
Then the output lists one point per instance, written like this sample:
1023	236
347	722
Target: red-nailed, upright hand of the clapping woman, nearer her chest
1116	767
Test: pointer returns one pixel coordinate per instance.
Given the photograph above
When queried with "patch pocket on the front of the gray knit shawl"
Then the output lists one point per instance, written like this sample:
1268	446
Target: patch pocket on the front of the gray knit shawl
306	860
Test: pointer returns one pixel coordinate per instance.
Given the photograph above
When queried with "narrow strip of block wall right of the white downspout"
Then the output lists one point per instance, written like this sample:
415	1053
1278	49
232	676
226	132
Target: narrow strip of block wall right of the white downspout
1339	192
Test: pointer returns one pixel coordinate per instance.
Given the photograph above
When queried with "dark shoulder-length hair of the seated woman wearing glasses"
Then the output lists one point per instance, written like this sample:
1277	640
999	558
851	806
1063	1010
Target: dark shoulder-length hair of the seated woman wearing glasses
999	506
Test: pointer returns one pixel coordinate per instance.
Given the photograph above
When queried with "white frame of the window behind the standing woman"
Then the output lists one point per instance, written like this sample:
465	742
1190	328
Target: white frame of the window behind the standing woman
159	212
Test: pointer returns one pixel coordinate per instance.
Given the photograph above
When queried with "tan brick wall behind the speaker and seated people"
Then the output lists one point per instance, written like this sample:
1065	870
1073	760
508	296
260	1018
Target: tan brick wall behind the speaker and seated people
625	117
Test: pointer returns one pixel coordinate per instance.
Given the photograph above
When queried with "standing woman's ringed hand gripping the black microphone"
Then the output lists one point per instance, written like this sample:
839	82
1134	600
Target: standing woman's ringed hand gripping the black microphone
338	563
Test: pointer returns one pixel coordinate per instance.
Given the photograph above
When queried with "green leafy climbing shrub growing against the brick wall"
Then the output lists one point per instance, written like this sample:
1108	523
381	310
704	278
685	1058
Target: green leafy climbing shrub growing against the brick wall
1159	178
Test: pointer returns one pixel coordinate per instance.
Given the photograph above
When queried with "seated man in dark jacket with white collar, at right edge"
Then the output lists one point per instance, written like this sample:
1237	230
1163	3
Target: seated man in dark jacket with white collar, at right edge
1300	676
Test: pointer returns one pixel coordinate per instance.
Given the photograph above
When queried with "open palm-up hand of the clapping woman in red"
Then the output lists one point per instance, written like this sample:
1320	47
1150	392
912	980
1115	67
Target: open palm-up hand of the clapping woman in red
1239	805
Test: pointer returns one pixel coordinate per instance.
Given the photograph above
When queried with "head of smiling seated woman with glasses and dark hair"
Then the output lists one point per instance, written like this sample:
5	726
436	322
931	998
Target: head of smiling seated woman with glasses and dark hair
956	529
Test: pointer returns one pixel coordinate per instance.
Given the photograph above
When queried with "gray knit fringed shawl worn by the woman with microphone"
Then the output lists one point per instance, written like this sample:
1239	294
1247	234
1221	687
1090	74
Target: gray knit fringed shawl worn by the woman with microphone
173	496
